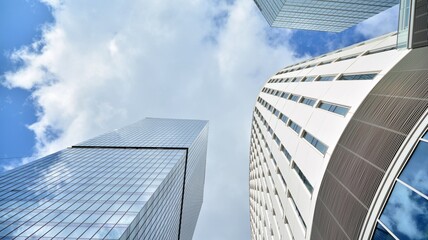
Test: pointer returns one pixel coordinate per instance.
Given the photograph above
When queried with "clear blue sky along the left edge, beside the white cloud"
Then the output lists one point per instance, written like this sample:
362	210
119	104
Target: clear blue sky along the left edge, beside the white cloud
20	24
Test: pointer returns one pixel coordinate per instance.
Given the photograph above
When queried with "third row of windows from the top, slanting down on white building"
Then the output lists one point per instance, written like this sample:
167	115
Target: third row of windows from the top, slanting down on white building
331	107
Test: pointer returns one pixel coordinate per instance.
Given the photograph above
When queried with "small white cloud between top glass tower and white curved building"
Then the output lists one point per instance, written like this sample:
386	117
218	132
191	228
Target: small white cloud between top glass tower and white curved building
382	23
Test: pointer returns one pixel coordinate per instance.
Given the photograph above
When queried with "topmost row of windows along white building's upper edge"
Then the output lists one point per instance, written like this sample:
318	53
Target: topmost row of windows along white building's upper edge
369	52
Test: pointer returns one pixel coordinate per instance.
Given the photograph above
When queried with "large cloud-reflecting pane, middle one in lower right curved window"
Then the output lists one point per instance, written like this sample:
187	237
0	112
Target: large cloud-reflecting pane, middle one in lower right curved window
406	214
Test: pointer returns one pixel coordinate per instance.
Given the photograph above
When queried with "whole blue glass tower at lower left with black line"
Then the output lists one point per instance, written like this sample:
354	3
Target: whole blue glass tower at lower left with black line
144	181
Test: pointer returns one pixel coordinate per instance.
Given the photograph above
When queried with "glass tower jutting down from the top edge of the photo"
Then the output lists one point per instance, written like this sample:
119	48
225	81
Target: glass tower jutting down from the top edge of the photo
332	16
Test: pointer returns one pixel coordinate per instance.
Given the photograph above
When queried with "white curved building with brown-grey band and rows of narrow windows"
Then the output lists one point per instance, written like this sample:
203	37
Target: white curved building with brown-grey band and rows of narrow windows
339	146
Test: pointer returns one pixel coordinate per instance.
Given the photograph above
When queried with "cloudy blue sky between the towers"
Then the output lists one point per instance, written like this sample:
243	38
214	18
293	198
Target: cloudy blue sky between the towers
73	69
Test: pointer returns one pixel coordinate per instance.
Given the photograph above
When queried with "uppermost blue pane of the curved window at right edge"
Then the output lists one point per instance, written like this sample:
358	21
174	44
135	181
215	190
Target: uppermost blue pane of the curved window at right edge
416	171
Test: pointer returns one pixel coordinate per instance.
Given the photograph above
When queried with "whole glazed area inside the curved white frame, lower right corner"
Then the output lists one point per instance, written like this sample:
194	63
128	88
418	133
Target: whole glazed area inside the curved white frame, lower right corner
405	215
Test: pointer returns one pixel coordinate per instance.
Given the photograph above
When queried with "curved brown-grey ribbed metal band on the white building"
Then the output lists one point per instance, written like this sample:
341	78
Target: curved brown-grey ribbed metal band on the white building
368	145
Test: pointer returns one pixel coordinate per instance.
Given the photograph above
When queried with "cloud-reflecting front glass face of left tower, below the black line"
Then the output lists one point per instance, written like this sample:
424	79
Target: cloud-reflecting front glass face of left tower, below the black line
96	192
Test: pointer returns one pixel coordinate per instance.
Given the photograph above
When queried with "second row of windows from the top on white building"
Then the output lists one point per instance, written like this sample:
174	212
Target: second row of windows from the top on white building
325	78
